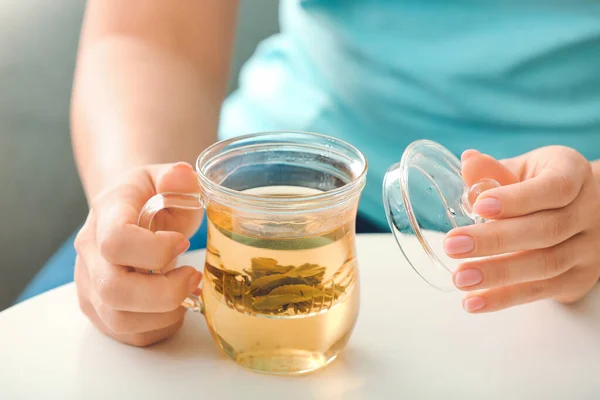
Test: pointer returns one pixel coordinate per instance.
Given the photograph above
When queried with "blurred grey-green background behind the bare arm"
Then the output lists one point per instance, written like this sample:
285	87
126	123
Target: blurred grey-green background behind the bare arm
41	200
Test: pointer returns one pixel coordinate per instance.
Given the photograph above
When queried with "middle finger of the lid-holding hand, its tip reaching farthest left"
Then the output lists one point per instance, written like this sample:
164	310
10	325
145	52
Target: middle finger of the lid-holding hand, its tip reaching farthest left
534	231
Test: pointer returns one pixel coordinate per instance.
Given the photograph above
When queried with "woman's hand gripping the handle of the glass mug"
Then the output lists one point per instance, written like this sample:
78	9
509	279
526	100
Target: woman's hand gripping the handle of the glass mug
132	307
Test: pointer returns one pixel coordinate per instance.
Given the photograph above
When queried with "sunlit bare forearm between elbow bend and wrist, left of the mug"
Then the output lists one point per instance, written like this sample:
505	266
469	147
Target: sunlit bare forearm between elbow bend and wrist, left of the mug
132	106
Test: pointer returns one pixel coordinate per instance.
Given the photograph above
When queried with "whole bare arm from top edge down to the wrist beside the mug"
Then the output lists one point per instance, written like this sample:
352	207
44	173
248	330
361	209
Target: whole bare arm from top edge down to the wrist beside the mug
150	79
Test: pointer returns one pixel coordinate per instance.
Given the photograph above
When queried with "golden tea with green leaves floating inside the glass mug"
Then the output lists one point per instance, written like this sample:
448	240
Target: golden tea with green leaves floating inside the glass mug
280	305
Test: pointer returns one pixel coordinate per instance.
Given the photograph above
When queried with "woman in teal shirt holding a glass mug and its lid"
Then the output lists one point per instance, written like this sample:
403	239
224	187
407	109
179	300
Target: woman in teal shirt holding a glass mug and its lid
507	78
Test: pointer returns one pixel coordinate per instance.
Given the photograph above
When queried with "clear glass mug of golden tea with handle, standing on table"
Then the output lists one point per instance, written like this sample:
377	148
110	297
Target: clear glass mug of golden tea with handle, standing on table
280	291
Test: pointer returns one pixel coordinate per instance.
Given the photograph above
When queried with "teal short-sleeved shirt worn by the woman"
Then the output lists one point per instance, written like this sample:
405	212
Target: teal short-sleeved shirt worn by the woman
501	76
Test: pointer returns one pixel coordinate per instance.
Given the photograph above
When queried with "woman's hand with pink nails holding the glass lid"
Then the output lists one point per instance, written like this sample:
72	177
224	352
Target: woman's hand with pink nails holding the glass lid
544	240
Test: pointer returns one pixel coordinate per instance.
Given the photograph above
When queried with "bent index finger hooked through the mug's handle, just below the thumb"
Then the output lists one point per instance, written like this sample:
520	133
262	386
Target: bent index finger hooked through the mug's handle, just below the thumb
122	242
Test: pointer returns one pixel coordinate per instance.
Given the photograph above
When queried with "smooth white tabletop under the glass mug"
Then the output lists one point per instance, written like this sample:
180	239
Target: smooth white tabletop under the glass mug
411	342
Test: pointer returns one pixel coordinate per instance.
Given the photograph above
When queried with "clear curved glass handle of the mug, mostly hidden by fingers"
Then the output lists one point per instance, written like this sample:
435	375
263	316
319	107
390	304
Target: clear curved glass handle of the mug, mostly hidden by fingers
184	201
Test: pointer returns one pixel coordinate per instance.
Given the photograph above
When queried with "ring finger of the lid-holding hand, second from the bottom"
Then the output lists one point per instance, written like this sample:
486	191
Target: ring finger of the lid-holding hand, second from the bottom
522	267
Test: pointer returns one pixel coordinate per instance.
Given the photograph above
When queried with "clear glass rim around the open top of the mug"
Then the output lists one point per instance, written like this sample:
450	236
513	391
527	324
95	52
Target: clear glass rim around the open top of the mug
265	201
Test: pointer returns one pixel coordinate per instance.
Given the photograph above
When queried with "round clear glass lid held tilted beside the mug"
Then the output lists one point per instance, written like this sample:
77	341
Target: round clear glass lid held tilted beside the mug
425	197
